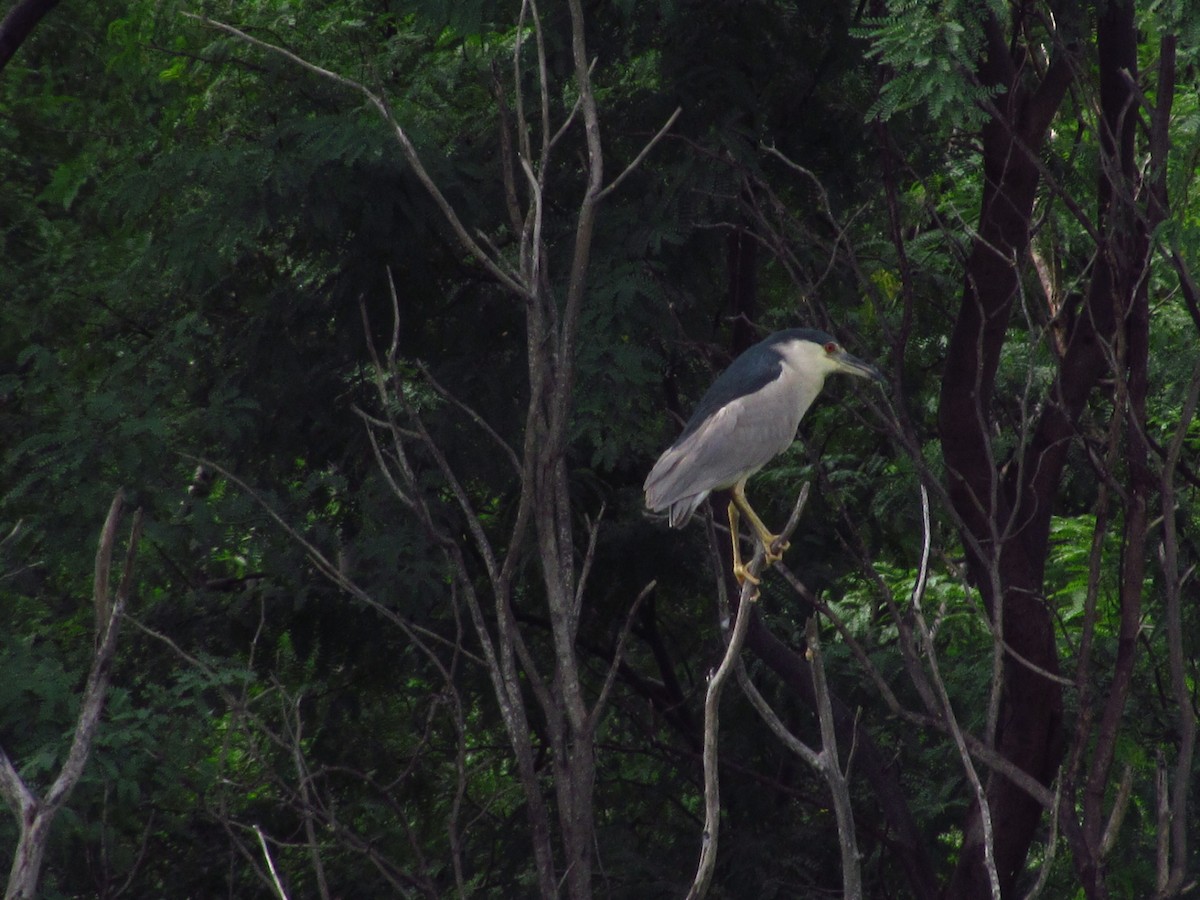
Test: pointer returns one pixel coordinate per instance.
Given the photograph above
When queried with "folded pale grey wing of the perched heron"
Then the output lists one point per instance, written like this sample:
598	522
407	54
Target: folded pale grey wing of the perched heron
735	442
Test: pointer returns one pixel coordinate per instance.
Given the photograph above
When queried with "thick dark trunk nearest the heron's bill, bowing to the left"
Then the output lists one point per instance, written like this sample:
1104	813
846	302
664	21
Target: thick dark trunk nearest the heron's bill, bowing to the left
1006	544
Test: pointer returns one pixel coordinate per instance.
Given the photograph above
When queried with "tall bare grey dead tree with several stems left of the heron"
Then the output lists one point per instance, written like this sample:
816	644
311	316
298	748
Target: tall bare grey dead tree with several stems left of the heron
544	509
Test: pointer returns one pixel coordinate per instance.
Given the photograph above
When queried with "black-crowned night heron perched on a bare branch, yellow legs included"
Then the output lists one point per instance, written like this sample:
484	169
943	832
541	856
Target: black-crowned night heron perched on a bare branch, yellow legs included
747	418
